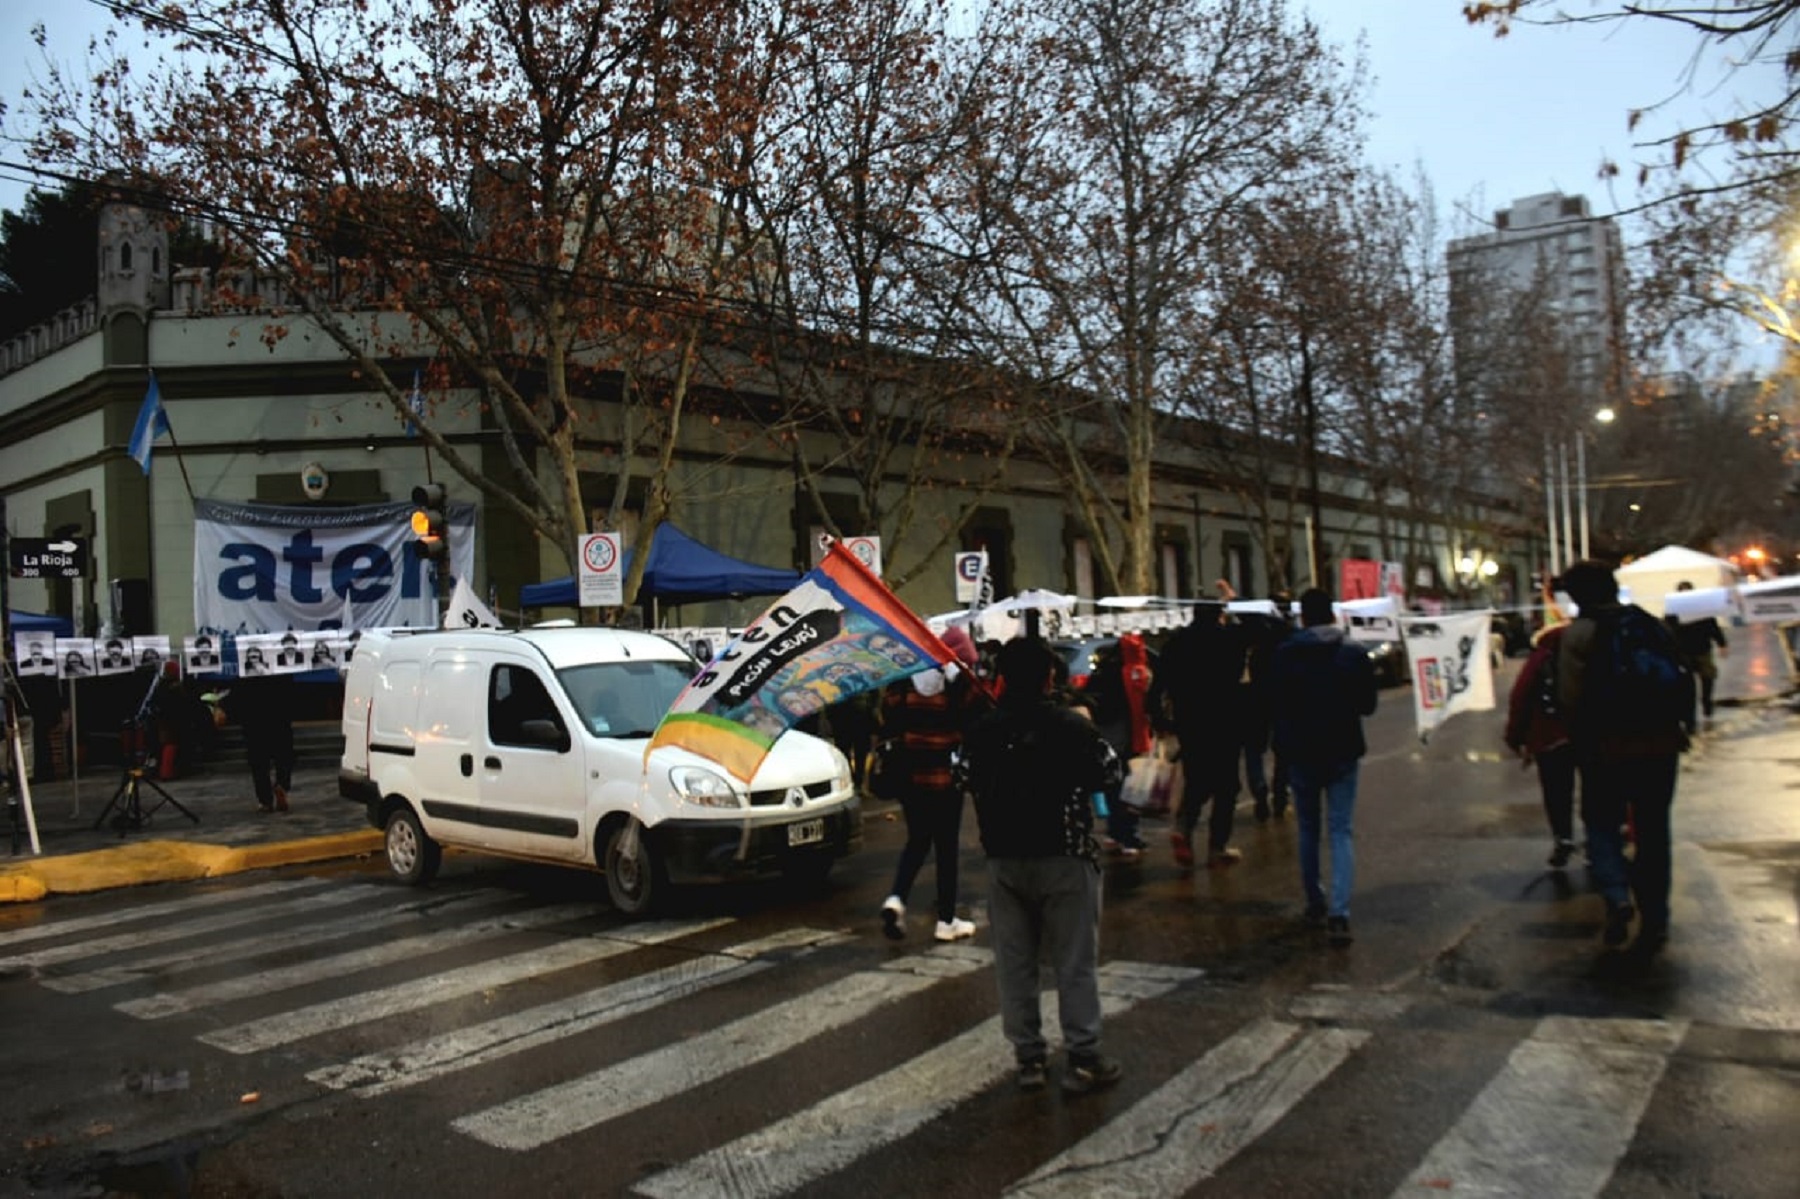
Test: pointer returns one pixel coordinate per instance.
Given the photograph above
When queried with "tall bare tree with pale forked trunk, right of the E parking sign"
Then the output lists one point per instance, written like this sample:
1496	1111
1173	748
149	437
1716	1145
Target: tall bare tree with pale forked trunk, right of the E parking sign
1128	138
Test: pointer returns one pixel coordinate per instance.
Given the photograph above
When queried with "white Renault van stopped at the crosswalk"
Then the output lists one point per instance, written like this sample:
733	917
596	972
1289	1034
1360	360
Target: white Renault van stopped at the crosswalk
532	744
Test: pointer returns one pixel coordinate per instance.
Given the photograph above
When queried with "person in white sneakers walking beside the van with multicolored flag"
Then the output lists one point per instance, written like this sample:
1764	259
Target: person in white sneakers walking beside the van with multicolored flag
922	723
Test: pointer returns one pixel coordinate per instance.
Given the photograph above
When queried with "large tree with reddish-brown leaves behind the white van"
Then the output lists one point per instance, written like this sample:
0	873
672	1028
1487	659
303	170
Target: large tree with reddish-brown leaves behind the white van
537	194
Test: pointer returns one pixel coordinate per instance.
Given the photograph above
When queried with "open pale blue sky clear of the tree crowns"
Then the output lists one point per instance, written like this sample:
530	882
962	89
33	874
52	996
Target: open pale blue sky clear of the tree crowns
1489	118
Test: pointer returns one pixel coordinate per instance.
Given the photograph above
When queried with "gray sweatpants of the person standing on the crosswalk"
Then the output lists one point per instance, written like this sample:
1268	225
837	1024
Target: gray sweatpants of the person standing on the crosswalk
1047	910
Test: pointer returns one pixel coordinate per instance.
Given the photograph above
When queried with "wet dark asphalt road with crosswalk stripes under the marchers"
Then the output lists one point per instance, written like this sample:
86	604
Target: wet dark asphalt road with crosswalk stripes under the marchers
192	1040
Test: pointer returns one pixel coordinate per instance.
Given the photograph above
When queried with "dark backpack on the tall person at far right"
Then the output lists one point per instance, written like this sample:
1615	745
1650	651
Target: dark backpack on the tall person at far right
1639	683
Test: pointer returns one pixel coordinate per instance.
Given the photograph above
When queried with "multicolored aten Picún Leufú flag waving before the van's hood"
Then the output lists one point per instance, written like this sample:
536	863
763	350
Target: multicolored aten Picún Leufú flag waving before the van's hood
841	631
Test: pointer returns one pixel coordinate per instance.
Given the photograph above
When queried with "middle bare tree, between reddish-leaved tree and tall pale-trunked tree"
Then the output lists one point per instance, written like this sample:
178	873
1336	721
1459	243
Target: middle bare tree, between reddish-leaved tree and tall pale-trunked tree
856	320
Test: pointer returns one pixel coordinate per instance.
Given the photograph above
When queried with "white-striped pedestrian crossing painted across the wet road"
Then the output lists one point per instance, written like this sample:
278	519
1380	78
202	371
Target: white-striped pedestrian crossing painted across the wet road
375	991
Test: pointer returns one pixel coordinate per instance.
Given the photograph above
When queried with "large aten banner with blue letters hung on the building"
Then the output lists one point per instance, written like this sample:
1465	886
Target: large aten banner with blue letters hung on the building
262	568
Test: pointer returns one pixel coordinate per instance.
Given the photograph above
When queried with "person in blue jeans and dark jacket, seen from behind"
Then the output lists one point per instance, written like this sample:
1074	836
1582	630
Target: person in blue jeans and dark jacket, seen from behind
1324	687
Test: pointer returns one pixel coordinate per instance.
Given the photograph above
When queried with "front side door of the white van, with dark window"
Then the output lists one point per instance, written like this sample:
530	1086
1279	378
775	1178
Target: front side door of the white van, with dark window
534	788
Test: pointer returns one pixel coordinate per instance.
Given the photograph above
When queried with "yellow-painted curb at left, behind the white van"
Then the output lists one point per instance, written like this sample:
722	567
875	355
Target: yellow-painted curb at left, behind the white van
170	861
